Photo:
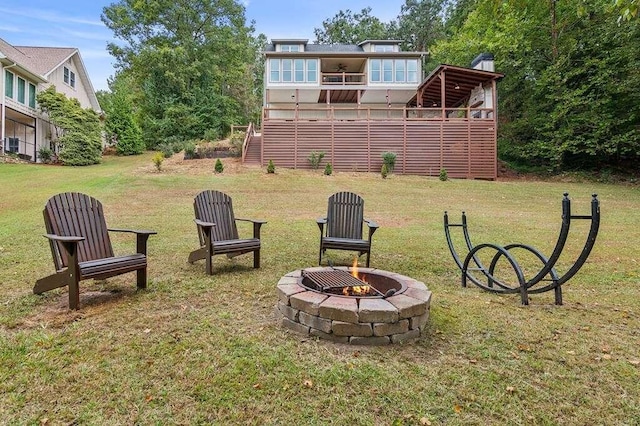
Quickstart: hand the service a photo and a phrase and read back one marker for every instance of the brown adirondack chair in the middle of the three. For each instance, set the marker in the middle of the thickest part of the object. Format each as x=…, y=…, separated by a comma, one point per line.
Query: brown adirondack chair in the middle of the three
x=218, y=232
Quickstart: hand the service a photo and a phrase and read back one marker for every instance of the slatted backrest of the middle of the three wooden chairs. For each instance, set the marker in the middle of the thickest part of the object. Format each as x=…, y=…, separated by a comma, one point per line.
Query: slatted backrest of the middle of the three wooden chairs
x=216, y=207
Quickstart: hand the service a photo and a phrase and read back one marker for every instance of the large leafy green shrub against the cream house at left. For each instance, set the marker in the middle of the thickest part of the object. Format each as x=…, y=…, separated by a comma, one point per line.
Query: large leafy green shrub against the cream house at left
x=75, y=129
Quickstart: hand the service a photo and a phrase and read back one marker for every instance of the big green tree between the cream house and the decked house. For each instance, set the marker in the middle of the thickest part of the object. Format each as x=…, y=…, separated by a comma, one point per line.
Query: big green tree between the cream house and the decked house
x=193, y=62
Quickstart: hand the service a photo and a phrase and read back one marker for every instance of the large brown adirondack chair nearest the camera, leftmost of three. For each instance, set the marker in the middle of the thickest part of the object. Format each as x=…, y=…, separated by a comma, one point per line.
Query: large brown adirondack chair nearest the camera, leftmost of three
x=81, y=248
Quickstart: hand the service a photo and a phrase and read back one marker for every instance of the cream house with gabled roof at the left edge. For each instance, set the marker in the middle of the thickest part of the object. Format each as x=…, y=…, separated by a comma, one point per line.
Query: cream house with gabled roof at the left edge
x=25, y=71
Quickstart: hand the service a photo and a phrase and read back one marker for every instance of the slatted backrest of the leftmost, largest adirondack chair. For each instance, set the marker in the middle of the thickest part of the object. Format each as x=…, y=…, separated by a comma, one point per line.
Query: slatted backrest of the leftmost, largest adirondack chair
x=74, y=214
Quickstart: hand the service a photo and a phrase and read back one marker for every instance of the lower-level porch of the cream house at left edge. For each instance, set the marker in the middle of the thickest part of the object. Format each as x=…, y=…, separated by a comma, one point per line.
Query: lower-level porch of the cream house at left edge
x=19, y=131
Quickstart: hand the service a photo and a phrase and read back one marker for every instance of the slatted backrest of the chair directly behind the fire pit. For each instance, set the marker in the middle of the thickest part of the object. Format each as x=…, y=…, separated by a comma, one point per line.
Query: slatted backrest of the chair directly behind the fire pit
x=345, y=214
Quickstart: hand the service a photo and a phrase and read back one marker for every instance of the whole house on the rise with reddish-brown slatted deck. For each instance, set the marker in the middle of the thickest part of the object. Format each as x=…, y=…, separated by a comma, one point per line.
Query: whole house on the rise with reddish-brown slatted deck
x=354, y=102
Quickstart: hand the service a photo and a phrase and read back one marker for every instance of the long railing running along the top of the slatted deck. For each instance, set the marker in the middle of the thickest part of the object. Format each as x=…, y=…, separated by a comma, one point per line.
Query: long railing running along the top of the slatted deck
x=332, y=113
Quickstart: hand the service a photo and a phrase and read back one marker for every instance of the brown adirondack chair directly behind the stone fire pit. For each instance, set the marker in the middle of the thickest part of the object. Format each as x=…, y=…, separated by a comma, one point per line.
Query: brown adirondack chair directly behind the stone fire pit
x=344, y=223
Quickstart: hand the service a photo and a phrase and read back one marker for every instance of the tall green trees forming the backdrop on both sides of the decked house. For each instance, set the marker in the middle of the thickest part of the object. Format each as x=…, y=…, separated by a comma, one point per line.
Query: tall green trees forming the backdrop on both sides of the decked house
x=569, y=98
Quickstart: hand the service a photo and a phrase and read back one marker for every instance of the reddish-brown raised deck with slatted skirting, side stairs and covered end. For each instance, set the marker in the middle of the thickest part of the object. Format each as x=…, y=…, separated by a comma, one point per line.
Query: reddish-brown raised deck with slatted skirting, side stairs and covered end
x=445, y=125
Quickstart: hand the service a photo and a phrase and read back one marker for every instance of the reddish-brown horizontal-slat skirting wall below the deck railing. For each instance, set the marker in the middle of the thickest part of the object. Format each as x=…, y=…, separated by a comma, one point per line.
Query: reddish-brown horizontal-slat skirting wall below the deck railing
x=465, y=148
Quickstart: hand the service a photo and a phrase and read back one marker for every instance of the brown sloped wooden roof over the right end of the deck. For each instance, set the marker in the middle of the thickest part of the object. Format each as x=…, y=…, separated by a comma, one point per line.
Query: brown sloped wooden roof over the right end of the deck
x=459, y=82
